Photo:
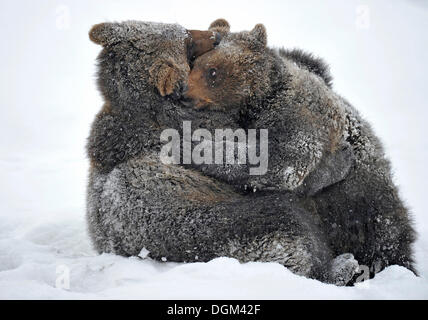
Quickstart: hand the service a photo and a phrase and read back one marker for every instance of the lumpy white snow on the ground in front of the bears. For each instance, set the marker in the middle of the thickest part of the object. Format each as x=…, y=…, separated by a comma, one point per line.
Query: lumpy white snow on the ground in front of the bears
x=54, y=260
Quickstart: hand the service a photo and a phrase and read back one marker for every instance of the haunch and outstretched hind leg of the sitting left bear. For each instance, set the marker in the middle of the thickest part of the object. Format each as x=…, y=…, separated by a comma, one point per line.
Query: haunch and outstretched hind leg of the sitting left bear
x=180, y=215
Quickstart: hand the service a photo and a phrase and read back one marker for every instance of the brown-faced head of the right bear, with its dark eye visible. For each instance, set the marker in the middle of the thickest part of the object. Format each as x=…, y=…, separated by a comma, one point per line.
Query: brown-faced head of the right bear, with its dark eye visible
x=232, y=73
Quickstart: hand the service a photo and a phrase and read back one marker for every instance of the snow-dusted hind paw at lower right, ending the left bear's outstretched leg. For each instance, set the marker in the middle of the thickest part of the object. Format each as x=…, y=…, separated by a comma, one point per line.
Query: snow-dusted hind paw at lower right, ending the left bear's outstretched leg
x=343, y=269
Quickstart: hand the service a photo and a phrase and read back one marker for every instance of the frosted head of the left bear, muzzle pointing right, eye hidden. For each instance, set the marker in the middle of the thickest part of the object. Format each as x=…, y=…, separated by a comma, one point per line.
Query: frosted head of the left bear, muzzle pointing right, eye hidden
x=140, y=56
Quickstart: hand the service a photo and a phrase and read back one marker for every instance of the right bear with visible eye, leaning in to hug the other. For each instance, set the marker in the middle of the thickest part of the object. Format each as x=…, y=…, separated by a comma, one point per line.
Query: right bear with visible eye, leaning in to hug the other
x=319, y=146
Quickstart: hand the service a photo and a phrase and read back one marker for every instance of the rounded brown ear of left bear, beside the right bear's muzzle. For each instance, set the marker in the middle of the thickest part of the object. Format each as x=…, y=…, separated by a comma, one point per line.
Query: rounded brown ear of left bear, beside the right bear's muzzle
x=168, y=78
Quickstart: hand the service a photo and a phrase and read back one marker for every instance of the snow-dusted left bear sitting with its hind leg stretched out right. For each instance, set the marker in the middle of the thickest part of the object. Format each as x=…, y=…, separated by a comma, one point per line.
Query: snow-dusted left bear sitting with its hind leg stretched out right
x=178, y=214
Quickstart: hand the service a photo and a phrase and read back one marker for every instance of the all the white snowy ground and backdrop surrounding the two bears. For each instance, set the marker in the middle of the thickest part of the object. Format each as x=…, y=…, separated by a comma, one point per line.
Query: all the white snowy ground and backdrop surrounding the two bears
x=48, y=99
